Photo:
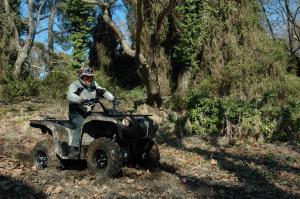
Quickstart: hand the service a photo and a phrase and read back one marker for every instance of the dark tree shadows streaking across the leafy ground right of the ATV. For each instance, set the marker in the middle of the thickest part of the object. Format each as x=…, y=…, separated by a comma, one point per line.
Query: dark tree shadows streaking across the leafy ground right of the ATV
x=253, y=181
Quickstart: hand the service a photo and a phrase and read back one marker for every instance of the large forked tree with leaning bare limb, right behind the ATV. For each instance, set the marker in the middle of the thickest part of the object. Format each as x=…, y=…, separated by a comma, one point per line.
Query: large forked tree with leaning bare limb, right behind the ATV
x=148, y=65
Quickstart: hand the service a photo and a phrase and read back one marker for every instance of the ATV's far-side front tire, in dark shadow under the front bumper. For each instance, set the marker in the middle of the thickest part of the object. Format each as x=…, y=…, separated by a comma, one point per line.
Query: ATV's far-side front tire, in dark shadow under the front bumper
x=151, y=159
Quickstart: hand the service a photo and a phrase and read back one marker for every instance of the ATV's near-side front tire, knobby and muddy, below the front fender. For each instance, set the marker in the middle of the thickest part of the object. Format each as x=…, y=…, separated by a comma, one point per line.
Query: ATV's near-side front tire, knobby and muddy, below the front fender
x=104, y=157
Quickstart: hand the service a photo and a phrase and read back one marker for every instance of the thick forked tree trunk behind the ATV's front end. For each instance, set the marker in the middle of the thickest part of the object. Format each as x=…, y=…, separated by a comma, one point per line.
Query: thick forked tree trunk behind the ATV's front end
x=155, y=69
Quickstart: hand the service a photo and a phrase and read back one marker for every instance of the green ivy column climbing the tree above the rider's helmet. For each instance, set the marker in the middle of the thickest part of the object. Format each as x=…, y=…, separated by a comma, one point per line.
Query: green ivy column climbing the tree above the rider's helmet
x=81, y=18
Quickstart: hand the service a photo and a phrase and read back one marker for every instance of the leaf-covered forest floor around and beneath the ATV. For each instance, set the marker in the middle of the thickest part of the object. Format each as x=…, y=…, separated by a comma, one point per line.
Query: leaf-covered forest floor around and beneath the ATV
x=192, y=167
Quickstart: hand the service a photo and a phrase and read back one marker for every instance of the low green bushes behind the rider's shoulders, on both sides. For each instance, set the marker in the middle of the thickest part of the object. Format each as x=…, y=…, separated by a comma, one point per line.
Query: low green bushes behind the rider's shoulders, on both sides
x=55, y=87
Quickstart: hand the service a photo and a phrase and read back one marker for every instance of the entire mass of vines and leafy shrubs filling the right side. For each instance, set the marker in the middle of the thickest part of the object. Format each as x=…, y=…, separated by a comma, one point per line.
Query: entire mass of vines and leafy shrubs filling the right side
x=241, y=89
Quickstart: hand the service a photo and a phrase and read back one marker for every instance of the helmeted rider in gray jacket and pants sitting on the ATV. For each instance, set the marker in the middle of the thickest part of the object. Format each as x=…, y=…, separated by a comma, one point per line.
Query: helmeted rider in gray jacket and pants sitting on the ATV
x=82, y=95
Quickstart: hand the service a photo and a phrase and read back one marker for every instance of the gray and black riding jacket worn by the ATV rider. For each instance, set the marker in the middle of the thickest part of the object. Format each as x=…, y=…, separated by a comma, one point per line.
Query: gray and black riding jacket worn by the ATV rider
x=85, y=98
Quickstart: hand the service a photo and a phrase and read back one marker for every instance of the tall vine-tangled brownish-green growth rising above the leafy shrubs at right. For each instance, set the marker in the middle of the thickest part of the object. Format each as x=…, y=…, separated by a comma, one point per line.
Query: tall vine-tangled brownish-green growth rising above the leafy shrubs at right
x=224, y=42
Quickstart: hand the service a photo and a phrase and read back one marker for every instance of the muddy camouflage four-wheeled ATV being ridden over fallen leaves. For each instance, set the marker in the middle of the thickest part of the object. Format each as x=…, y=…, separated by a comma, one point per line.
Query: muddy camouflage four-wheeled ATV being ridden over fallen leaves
x=109, y=140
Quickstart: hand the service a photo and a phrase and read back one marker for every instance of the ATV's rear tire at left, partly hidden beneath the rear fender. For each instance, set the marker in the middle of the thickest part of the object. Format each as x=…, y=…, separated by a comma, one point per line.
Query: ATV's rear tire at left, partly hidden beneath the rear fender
x=43, y=155
